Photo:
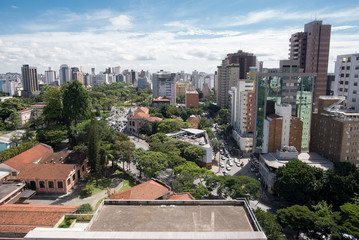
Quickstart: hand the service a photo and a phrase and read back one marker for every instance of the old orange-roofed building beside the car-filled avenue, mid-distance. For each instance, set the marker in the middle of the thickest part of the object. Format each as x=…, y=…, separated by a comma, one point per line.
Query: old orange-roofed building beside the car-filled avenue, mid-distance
x=139, y=115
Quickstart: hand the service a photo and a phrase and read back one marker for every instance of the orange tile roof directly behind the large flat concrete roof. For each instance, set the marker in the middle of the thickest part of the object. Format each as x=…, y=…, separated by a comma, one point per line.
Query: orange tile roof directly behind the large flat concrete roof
x=149, y=190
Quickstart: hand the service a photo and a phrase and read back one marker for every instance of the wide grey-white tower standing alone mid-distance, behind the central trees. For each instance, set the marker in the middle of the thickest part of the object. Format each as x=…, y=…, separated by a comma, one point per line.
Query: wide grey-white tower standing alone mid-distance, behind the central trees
x=164, y=85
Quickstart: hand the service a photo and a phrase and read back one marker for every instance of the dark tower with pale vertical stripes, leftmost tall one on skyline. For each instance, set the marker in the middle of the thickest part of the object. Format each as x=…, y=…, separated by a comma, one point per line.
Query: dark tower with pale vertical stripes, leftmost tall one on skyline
x=29, y=80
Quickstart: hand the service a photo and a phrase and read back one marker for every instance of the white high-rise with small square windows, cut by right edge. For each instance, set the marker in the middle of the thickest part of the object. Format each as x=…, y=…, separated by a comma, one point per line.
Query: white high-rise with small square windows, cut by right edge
x=347, y=79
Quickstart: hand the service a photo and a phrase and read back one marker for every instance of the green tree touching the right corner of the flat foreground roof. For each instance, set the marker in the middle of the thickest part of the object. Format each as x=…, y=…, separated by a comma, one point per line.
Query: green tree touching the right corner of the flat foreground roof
x=269, y=225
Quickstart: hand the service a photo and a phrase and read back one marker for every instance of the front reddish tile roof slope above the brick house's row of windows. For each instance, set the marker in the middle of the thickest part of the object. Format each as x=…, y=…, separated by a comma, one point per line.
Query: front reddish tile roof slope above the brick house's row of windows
x=47, y=171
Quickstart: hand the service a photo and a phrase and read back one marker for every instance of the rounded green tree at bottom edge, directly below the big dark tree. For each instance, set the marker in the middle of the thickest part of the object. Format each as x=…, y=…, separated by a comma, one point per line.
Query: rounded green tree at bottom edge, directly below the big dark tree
x=298, y=218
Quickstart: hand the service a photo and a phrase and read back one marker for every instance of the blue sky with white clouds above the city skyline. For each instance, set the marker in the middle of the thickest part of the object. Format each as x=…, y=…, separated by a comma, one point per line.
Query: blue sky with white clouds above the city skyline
x=163, y=35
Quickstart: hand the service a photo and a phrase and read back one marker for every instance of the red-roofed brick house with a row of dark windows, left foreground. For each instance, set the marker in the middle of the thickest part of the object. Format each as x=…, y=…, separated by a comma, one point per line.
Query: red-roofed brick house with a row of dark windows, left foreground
x=58, y=172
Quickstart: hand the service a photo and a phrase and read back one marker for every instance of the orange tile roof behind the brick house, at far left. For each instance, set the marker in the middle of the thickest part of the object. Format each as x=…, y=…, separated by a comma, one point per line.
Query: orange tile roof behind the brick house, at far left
x=29, y=156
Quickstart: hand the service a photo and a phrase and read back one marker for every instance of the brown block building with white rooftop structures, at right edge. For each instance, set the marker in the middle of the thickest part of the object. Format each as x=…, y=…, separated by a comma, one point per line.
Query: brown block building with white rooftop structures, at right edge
x=335, y=131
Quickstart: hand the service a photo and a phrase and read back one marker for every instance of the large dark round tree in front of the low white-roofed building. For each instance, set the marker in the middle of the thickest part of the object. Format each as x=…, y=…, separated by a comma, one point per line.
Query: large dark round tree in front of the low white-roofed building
x=299, y=182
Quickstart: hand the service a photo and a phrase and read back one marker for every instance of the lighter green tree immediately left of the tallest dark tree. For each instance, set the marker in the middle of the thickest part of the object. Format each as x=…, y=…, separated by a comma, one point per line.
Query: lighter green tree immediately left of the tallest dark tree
x=53, y=111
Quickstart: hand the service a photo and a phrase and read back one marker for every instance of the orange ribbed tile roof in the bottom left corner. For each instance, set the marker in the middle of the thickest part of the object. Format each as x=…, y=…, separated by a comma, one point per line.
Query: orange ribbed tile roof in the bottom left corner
x=22, y=218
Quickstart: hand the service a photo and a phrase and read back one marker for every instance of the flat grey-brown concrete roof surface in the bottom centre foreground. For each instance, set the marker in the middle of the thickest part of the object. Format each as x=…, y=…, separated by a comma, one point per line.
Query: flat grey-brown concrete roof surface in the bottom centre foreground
x=172, y=216
